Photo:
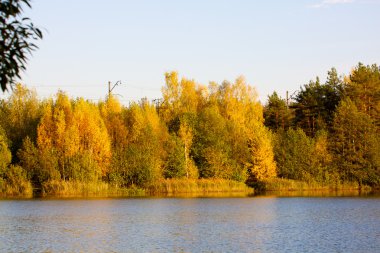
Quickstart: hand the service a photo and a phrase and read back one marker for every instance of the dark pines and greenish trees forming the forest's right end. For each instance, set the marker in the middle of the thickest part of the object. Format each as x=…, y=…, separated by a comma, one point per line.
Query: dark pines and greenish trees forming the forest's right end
x=329, y=132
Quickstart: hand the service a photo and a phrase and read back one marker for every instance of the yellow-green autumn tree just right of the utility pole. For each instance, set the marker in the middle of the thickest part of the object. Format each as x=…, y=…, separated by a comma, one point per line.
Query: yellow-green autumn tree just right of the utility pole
x=141, y=162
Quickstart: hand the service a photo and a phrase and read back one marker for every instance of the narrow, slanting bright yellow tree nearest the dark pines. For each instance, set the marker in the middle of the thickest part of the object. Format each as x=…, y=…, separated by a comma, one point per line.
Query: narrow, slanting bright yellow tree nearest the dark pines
x=246, y=116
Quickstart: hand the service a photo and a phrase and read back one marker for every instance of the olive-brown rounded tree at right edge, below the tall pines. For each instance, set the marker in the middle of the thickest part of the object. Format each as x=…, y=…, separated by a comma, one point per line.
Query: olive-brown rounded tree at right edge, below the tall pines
x=355, y=144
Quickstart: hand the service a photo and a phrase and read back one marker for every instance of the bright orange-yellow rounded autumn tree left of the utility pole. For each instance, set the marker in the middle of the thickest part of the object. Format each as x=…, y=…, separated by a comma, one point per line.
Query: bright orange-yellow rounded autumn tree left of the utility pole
x=74, y=133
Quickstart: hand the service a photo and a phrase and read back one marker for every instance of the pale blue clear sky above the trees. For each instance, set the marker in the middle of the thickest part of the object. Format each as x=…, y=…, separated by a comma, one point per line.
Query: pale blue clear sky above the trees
x=276, y=45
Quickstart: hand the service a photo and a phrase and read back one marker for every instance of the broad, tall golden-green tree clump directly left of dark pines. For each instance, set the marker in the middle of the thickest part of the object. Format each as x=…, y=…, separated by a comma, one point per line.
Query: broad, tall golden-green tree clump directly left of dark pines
x=229, y=131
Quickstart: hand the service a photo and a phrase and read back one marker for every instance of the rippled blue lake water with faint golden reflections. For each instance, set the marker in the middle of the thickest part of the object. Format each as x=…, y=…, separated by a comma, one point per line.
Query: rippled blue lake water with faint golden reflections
x=251, y=224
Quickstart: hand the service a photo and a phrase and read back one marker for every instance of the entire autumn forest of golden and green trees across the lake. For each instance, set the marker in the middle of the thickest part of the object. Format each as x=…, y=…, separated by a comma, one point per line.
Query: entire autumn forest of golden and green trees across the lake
x=324, y=134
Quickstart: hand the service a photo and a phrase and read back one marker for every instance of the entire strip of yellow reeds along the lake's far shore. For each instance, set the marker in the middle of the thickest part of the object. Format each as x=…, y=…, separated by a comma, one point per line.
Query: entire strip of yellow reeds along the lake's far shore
x=183, y=188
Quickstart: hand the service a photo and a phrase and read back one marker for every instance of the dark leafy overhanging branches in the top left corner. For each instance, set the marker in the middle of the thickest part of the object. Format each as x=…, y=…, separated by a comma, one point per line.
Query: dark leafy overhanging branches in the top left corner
x=17, y=36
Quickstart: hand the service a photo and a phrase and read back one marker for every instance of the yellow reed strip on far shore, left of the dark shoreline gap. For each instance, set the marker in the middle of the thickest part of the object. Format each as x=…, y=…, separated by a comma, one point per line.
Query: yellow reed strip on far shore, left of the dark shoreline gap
x=164, y=187
